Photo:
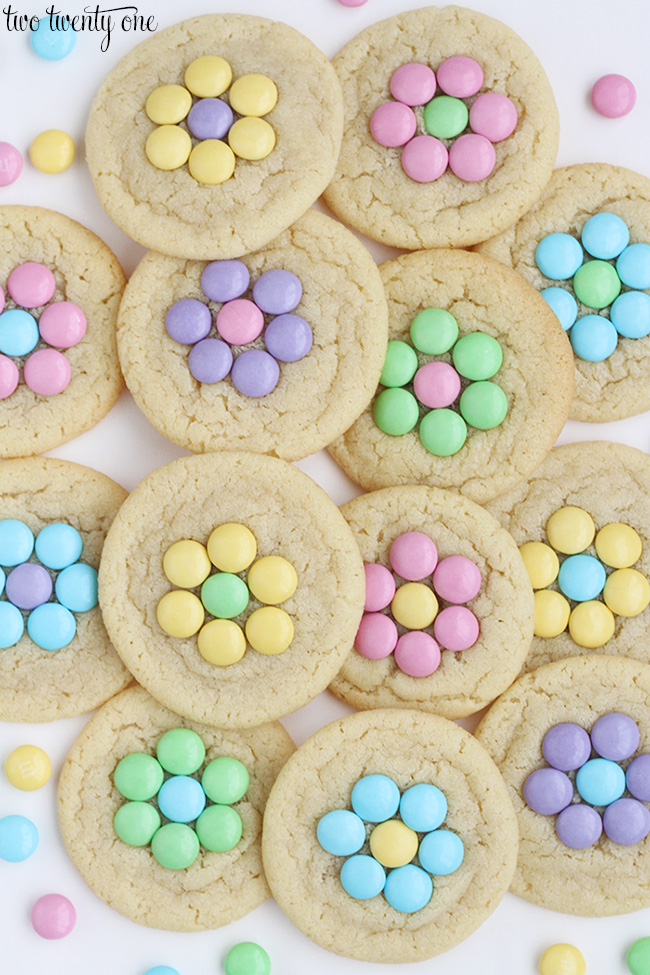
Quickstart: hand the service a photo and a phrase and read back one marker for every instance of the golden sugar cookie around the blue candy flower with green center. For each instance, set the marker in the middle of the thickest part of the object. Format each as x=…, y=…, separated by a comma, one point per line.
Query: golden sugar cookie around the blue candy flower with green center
x=616, y=386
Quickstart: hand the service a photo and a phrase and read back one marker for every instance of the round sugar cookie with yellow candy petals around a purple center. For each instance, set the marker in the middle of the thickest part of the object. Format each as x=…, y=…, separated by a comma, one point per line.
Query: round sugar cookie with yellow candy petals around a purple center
x=171, y=211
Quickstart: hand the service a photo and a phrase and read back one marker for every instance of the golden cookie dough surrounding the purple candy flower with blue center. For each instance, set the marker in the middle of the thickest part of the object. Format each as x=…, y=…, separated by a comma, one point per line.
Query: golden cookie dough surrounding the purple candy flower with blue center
x=605, y=877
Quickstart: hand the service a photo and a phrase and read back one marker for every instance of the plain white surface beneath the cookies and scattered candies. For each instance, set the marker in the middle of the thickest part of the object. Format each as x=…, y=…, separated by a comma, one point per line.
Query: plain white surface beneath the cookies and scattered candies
x=577, y=41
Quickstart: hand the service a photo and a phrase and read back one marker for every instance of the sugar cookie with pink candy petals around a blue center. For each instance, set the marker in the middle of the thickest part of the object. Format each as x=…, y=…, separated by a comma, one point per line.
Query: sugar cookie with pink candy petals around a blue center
x=76, y=267
